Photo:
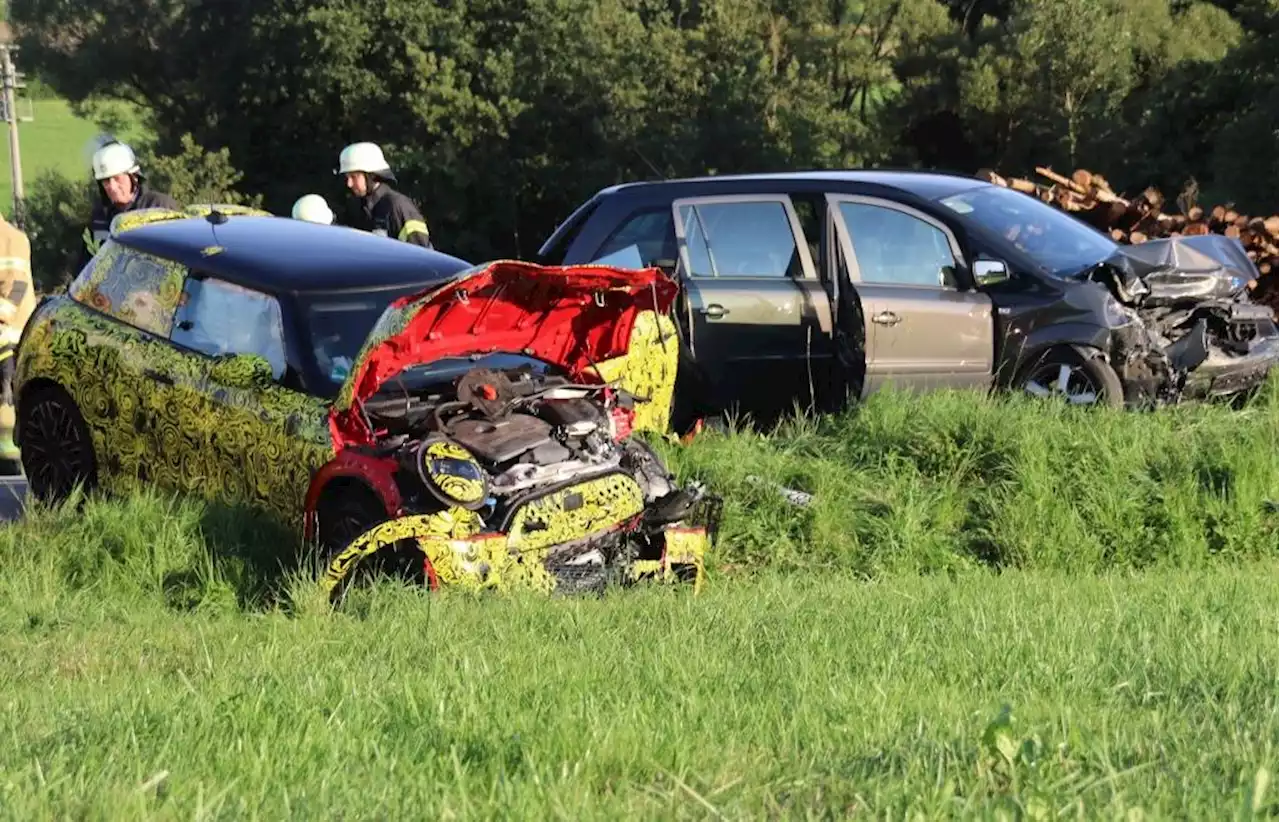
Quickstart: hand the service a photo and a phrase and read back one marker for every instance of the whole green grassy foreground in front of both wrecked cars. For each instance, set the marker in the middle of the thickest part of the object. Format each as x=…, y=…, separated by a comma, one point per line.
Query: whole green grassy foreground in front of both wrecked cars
x=853, y=656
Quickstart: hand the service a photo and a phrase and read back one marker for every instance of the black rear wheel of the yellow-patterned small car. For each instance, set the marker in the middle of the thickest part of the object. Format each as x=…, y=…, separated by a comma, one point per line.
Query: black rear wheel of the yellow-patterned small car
x=57, y=447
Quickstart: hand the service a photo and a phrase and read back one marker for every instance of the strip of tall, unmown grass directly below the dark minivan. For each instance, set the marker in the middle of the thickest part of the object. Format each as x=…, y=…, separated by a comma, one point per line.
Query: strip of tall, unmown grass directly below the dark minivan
x=953, y=481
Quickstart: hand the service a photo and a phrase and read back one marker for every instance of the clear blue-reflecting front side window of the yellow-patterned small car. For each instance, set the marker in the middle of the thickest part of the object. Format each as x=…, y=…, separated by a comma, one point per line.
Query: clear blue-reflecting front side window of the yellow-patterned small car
x=218, y=318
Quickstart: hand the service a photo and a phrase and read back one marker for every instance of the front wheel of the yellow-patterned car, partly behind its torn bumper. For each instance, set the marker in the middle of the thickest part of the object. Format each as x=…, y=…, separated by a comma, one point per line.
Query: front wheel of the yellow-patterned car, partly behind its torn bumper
x=346, y=512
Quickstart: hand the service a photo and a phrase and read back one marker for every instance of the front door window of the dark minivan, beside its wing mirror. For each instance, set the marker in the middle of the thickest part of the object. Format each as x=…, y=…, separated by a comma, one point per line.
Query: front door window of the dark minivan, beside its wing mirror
x=894, y=248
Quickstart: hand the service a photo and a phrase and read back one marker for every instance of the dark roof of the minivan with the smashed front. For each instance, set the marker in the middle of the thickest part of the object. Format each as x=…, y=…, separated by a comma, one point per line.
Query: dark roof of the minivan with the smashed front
x=927, y=185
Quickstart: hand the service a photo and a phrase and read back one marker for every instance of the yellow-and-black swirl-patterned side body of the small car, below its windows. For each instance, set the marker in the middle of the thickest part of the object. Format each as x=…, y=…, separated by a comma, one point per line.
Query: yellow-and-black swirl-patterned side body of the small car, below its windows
x=240, y=446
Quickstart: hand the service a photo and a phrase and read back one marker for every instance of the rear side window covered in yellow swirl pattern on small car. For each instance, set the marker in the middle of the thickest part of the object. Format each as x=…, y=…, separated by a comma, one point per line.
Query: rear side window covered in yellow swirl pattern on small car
x=136, y=289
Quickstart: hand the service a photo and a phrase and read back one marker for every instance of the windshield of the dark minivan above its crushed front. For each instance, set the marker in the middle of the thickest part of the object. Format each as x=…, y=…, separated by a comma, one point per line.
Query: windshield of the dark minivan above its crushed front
x=1059, y=243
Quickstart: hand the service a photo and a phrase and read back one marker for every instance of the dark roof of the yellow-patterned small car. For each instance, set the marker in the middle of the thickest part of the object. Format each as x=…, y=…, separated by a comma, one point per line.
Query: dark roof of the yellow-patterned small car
x=285, y=255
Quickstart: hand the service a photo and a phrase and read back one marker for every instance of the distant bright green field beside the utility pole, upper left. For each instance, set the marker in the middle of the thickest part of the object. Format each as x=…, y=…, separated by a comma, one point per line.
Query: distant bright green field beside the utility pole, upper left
x=54, y=140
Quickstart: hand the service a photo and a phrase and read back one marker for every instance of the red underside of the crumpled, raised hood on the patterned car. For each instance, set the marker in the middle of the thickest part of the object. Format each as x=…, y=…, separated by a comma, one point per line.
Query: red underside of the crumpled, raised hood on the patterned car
x=570, y=317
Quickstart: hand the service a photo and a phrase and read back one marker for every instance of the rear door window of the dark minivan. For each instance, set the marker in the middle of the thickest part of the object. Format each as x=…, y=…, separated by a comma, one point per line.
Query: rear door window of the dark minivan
x=740, y=240
